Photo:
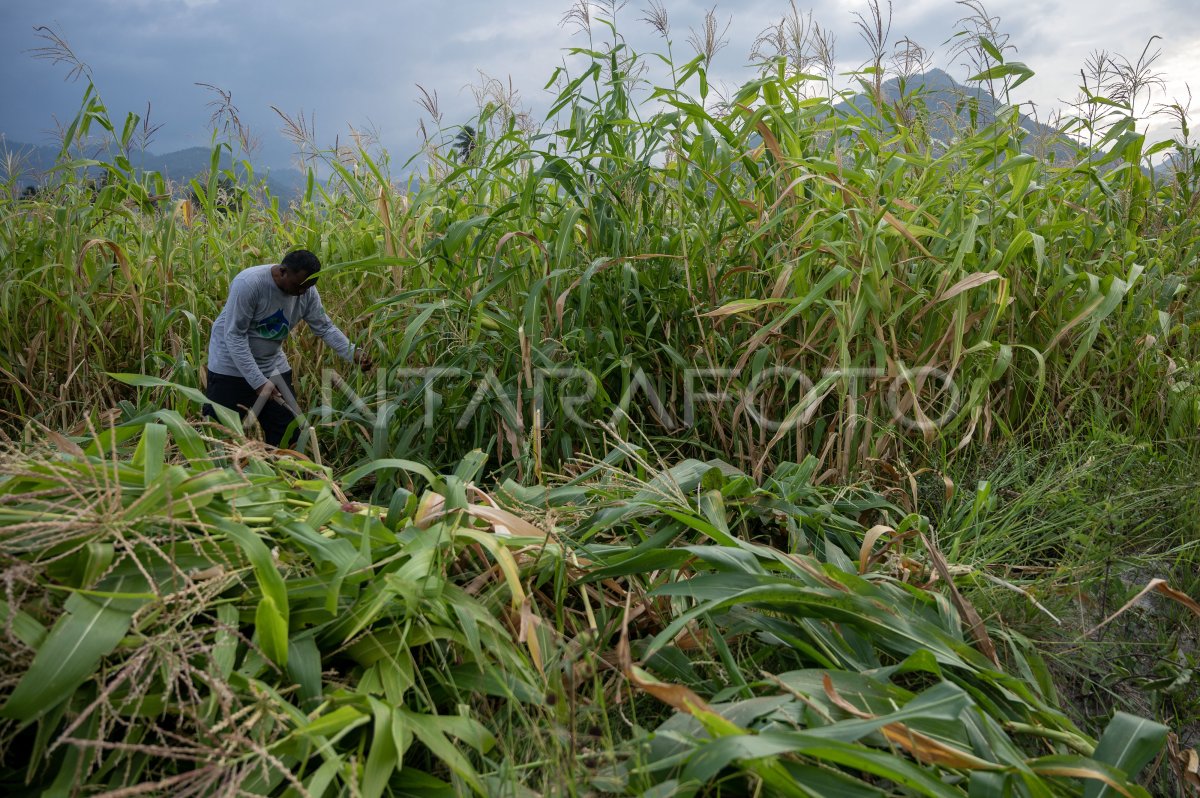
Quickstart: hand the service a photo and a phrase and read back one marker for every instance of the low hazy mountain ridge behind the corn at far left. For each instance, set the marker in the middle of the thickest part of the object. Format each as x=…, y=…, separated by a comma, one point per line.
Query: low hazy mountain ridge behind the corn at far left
x=32, y=164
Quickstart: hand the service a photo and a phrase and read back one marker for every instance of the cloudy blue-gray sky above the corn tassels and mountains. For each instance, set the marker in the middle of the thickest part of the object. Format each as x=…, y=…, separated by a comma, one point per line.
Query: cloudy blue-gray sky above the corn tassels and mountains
x=358, y=63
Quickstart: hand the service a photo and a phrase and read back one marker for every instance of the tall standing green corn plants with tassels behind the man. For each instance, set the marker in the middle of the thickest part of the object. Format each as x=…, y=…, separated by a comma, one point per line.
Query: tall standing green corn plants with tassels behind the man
x=920, y=295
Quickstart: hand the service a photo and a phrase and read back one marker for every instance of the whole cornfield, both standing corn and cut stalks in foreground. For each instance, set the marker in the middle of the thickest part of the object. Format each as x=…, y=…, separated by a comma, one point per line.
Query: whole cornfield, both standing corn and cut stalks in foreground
x=663, y=485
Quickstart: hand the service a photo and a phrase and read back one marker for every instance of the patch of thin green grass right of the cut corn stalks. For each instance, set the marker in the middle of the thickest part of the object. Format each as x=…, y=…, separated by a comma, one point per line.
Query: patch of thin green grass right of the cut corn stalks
x=1063, y=539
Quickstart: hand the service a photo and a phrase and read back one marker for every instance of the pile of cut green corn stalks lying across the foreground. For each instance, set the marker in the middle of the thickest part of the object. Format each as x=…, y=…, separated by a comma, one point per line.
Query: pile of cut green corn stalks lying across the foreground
x=229, y=622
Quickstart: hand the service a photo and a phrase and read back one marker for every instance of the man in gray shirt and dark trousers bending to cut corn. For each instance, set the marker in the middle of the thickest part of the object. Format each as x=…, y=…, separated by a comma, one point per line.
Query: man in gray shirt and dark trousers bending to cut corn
x=247, y=362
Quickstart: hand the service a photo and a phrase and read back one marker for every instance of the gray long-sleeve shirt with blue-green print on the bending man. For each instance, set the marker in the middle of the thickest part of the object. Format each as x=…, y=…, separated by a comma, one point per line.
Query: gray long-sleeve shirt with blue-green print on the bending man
x=248, y=338
